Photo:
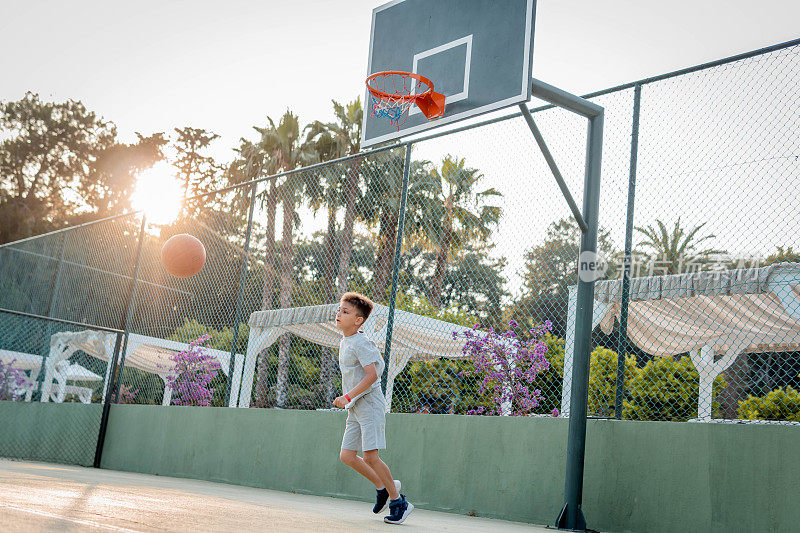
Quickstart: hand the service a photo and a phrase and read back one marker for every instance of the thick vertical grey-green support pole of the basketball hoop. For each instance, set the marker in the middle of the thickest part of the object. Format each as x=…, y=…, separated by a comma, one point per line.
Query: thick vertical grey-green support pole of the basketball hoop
x=571, y=516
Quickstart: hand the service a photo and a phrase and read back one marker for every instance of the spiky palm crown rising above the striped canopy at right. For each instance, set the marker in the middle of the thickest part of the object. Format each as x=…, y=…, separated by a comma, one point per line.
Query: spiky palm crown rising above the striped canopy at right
x=673, y=250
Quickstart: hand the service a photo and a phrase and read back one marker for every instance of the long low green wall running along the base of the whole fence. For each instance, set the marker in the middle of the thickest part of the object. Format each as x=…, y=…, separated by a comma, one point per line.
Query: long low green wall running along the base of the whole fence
x=640, y=476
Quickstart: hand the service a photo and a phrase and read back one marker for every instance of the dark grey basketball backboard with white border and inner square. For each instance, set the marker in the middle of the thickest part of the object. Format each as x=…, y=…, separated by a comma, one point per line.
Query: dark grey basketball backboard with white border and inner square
x=477, y=53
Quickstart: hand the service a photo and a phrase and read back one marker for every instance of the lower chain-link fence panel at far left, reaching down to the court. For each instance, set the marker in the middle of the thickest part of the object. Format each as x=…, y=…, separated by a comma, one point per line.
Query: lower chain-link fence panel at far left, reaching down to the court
x=41, y=362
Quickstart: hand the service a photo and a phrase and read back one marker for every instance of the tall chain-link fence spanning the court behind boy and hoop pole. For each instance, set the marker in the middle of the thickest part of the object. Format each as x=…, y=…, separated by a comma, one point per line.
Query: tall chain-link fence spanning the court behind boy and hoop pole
x=467, y=247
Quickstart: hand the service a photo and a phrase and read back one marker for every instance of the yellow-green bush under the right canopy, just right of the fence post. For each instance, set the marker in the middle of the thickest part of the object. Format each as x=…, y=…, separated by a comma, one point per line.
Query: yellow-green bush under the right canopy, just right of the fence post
x=665, y=389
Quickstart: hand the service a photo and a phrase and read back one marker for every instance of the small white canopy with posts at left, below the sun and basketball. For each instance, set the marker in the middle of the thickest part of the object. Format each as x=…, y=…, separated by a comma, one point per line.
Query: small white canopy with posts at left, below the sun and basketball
x=149, y=354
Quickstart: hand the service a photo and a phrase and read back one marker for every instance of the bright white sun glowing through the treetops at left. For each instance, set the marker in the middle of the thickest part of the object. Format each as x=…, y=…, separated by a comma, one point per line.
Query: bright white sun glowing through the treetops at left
x=158, y=194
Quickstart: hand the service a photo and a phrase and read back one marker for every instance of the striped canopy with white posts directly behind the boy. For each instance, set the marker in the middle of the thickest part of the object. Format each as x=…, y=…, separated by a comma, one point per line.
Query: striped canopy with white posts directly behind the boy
x=413, y=337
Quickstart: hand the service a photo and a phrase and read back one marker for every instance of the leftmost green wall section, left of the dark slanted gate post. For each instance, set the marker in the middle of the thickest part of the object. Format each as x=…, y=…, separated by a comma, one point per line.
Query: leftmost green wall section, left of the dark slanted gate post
x=52, y=432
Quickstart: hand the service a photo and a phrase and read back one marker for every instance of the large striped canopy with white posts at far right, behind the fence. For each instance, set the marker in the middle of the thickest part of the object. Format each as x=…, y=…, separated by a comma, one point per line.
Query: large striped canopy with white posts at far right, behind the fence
x=714, y=316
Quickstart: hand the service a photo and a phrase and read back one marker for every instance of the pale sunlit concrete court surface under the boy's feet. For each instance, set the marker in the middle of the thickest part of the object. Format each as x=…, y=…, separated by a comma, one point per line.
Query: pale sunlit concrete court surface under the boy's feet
x=39, y=497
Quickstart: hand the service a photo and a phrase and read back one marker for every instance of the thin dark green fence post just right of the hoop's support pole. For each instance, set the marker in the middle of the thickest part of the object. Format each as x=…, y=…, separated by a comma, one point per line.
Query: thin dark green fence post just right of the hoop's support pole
x=622, y=333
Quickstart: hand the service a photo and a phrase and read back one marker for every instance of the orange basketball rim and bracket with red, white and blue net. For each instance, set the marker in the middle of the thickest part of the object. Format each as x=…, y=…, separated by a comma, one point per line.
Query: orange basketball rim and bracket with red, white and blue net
x=393, y=92
